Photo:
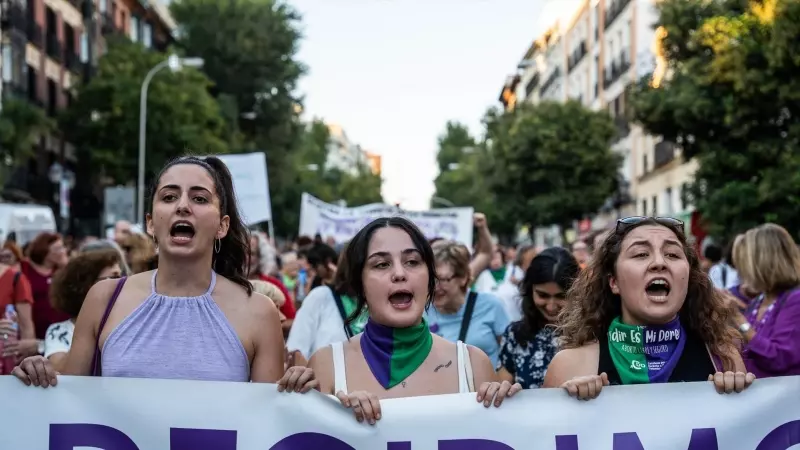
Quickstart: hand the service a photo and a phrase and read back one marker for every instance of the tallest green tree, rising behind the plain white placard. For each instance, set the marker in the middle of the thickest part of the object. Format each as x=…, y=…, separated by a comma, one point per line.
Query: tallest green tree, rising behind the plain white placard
x=249, y=48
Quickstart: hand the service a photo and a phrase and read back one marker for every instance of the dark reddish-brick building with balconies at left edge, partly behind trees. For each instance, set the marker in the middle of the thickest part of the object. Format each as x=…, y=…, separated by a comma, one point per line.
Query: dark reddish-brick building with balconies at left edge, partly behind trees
x=48, y=46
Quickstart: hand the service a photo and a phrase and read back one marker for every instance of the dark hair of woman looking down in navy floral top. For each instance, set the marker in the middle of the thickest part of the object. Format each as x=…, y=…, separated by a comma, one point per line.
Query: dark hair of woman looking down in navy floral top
x=553, y=265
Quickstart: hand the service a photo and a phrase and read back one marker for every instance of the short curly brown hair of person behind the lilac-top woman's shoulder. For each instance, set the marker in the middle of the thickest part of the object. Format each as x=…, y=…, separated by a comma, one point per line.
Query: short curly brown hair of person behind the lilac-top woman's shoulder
x=72, y=283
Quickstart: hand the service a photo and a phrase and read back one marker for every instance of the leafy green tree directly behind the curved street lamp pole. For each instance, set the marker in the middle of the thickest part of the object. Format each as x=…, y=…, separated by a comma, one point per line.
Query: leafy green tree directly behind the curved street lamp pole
x=103, y=121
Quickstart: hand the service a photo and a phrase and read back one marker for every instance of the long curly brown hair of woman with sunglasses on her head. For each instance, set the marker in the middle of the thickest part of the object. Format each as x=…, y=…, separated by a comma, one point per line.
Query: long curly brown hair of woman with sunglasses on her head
x=591, y=304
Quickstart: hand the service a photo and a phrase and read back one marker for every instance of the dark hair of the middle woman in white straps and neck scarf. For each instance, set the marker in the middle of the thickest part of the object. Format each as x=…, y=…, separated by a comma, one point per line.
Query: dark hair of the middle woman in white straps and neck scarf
x=355, y=257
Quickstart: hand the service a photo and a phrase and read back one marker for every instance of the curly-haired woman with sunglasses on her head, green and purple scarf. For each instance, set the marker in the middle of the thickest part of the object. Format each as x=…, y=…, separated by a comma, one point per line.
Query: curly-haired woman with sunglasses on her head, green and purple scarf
x=643, y=311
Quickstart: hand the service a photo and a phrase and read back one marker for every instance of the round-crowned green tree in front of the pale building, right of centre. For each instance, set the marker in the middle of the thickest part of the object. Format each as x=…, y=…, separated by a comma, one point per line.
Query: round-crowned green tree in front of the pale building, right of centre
x=552, y=162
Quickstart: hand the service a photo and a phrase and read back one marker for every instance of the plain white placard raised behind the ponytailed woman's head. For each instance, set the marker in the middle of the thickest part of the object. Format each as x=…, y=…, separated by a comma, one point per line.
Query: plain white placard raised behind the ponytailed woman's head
x=250, y=182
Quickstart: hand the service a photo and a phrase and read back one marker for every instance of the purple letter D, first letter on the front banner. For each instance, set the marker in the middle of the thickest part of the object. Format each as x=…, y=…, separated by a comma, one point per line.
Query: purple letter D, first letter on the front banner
x=67, y=436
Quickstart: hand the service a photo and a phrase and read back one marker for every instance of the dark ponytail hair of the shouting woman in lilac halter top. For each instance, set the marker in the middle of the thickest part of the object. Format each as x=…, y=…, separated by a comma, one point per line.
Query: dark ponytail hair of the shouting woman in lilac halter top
x=231, y=260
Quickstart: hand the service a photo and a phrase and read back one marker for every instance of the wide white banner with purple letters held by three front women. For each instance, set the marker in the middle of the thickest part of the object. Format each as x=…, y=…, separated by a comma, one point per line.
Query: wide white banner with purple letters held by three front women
x=139, y=414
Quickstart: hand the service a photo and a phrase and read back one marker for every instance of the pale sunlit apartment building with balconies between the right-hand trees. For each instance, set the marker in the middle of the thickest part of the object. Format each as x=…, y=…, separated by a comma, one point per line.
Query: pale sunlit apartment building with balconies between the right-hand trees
x=592, y=56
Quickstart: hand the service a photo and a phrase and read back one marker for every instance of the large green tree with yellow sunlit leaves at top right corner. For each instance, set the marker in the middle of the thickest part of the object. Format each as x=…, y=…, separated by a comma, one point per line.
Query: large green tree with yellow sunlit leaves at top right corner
x=731, y=99
